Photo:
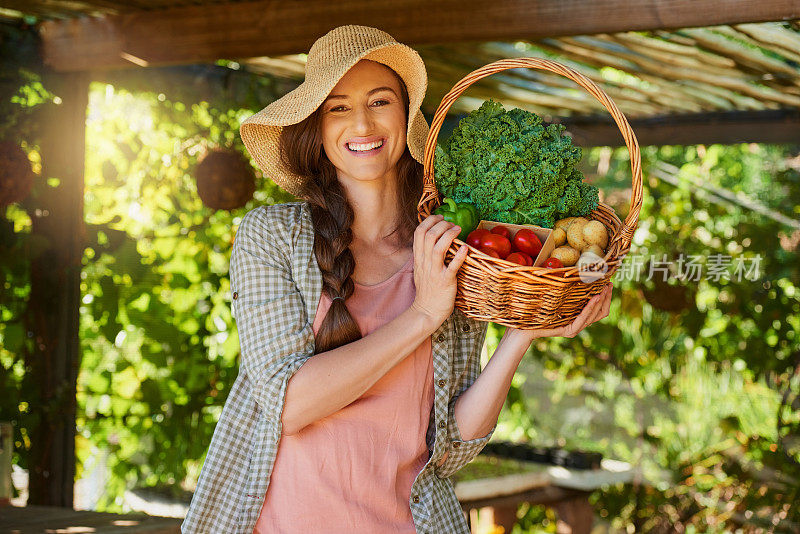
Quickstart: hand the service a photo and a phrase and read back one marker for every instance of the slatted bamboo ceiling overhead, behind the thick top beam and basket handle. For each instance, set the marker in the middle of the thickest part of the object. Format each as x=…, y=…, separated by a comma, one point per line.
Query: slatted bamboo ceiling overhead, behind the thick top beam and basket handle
x=749, y=67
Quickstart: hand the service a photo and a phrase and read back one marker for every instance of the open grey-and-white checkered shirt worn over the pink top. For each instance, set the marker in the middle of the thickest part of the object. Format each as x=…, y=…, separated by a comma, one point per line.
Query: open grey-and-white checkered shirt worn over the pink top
x=276, y=285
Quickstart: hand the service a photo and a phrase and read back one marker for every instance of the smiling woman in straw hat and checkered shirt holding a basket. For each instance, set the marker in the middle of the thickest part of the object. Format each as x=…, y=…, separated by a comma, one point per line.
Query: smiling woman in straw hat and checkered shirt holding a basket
x=364, y=435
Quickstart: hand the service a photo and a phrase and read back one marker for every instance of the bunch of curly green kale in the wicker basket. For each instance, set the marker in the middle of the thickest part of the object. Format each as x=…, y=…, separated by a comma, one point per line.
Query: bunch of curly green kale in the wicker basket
x=513, y=167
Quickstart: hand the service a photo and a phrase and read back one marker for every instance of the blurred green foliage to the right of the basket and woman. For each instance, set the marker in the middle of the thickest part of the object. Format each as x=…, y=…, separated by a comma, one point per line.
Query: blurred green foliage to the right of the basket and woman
x=685, y=378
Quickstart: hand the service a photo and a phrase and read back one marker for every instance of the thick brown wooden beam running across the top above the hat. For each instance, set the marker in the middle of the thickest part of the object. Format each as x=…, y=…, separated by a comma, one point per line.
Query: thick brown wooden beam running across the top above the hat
x=264, y=28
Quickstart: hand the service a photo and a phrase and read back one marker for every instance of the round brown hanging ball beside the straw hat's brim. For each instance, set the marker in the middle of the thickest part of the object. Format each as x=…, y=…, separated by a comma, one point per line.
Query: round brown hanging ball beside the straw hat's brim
x=225, y=179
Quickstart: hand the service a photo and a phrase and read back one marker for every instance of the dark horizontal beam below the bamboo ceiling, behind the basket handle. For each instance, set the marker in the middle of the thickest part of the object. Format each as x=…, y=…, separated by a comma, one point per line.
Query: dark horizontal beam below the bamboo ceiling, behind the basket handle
x=728, y=127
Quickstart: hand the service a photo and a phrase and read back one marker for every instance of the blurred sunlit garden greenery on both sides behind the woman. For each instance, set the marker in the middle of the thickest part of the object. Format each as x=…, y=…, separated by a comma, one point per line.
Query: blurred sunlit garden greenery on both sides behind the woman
x=692, y=380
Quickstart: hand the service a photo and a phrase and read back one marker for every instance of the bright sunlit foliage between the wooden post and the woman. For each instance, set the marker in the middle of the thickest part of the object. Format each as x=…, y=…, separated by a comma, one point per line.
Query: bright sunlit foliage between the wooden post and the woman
x=160, y=346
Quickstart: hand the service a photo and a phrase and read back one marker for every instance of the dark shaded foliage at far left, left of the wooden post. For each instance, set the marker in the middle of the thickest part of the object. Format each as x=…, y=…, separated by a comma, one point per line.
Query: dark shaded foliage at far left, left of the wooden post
x=22, y=99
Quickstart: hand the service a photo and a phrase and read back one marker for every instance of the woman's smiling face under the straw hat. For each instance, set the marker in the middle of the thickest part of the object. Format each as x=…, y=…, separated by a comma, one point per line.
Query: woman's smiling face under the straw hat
x=364, y=123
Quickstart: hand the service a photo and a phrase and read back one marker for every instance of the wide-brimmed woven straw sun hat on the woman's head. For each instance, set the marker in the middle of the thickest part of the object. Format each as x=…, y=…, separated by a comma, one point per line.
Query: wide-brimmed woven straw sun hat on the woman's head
x=330, y=57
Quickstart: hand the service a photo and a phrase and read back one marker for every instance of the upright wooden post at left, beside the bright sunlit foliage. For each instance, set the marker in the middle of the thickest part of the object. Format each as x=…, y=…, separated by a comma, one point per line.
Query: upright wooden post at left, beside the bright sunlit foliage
x=52, y=367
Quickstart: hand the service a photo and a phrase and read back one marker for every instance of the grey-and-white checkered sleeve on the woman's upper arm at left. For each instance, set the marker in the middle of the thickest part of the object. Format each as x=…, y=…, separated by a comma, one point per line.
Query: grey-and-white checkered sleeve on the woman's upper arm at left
x=275, y=335
